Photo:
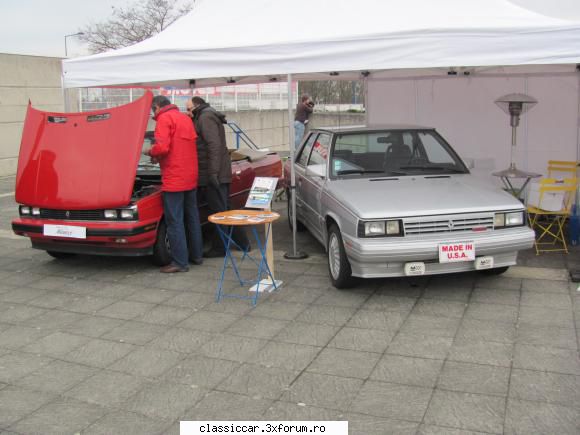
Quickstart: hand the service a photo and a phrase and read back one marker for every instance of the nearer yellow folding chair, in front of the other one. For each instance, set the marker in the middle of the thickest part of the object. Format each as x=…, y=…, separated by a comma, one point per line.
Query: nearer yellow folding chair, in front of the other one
x=548, y=216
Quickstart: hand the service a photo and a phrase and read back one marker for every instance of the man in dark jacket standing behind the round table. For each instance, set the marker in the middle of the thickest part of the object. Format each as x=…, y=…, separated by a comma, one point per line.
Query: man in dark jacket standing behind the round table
x=215, y=166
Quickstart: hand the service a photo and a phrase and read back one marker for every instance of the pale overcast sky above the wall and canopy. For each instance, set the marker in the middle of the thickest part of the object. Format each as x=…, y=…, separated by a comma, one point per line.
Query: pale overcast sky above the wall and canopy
x=38, y=27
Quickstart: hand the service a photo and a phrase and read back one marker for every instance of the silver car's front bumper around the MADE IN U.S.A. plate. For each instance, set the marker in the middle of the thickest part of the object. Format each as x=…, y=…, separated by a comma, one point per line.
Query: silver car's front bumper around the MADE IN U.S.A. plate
x=386, y=257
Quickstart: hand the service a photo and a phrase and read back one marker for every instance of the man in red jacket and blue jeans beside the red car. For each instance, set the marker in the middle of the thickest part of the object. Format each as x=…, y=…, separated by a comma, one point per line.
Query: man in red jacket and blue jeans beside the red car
x=176, y=152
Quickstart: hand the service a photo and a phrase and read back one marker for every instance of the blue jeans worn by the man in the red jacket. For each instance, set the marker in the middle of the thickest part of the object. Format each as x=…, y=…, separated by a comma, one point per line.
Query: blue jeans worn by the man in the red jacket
x=176, y=205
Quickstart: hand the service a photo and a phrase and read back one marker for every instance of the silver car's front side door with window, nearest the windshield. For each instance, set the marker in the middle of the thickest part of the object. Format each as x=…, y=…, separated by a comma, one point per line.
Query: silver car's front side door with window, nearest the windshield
x=314, y=180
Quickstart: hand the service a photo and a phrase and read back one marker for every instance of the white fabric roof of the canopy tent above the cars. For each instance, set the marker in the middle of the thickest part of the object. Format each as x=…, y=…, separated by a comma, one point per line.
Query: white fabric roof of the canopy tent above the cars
x=247, y=40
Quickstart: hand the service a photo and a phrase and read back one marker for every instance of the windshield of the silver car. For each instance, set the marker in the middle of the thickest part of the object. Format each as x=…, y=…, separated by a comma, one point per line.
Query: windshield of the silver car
x=393, y=152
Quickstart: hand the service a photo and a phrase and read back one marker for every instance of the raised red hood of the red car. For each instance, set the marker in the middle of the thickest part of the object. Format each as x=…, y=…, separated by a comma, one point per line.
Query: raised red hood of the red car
x=81, y=160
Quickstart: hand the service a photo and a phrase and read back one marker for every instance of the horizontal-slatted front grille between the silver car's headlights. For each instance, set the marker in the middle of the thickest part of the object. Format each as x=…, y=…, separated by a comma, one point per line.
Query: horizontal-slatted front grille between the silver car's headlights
x=448, y=224
